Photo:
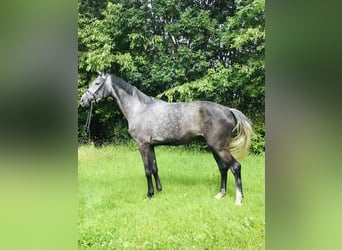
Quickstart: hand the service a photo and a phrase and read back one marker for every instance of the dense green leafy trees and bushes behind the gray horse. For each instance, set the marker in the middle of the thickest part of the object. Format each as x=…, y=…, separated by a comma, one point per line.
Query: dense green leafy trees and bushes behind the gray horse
x=178, y=50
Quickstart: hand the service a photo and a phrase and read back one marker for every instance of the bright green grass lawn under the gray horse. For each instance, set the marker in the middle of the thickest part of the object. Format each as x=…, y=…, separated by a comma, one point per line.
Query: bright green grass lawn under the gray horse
x=114, y=214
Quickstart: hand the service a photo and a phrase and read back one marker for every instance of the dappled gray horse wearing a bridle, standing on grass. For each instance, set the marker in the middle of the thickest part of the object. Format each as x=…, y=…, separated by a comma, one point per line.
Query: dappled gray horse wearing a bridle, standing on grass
x=152, y=121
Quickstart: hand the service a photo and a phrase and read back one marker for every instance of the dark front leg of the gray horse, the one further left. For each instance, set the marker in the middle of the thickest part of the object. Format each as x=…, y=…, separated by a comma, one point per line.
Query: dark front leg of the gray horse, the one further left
x=145, y=151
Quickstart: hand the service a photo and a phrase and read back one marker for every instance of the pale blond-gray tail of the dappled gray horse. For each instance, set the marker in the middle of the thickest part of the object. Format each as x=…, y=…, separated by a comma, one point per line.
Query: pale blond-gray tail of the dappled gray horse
x=241, y=142
